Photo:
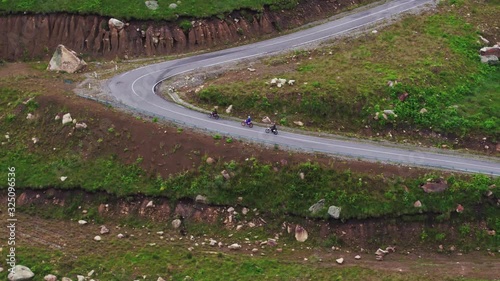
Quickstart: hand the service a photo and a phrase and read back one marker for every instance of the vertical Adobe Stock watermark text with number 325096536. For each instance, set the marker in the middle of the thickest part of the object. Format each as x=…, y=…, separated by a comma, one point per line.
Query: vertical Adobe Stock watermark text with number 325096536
x=11, y=219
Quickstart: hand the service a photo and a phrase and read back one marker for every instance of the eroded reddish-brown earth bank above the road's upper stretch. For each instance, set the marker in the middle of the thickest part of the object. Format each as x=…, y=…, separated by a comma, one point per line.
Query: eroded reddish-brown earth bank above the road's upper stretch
x=37, y=36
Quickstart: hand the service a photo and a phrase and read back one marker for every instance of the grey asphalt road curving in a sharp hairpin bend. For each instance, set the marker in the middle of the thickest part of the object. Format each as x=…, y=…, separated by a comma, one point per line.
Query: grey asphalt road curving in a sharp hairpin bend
x=136, y=89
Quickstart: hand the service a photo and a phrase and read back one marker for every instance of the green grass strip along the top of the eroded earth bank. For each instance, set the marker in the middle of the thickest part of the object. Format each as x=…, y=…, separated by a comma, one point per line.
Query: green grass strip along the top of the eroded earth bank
x=125, y=9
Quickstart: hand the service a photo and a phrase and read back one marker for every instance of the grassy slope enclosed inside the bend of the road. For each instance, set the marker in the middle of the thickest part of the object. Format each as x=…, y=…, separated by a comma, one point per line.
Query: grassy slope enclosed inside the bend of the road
x=433, y=57
